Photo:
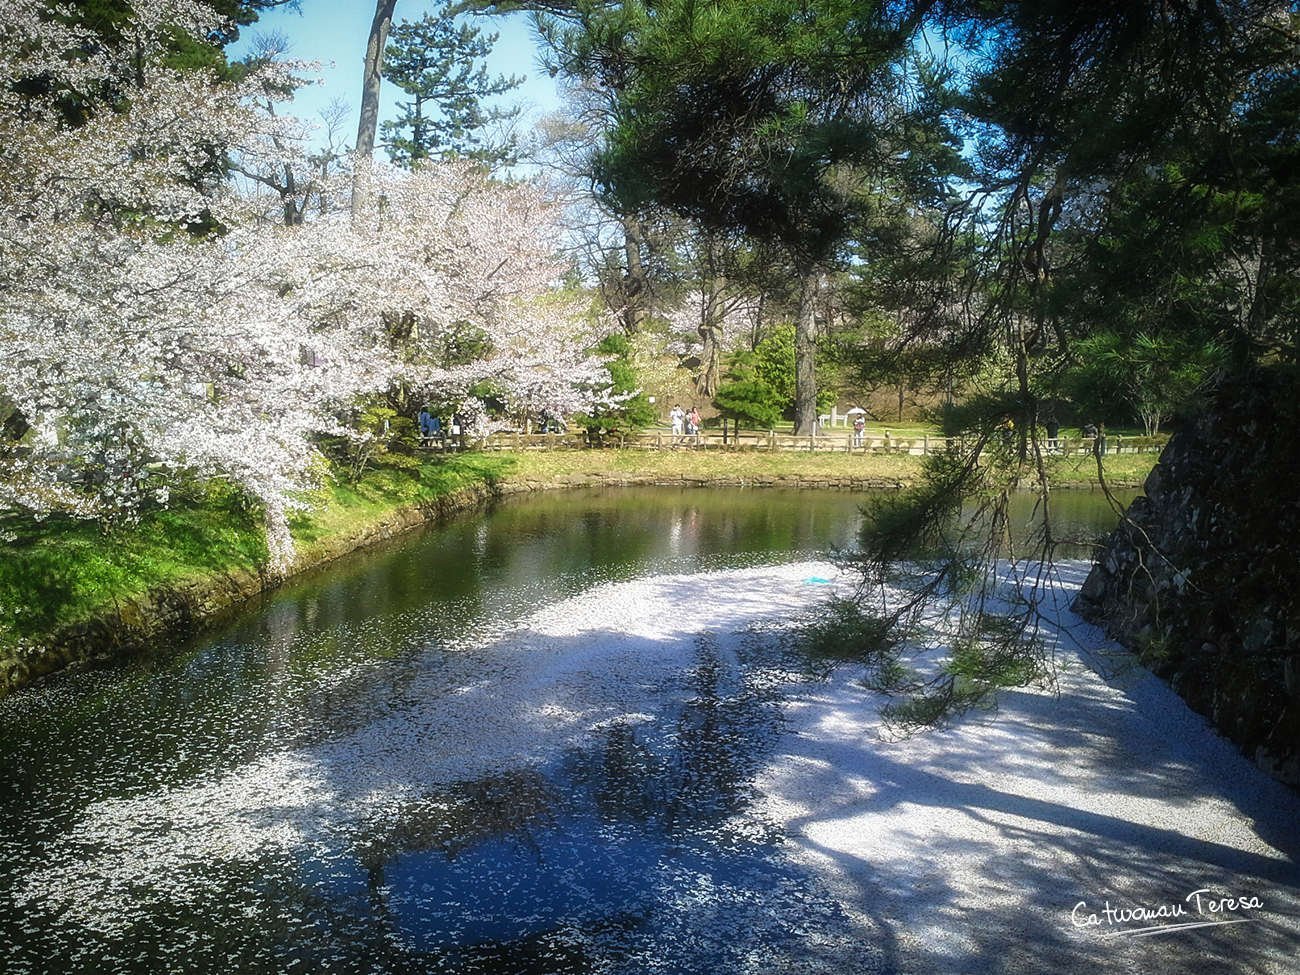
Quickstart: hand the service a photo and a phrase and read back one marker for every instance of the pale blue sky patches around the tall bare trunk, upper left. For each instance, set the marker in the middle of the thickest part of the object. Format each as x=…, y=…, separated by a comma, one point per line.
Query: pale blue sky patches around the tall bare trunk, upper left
x=335, y=33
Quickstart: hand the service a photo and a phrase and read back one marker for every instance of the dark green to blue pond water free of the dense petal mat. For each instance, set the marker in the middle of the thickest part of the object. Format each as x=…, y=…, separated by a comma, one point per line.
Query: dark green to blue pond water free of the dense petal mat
x=127, y=843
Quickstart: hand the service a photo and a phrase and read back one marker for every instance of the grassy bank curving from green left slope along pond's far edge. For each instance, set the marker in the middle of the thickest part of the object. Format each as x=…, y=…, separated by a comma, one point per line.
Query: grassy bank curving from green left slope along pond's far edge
x=64, y=573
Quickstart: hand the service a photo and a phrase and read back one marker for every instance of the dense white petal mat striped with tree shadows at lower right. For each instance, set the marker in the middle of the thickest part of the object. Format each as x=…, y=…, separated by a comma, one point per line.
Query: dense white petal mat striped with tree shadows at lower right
x=968, y=850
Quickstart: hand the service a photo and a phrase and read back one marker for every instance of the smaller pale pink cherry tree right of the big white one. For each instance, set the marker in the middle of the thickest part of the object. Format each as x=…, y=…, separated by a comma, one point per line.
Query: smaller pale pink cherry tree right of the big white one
x=463, y=262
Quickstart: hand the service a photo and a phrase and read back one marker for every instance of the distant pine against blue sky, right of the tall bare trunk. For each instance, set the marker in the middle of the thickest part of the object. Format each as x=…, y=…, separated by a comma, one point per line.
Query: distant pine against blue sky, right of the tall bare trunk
x=439, y=66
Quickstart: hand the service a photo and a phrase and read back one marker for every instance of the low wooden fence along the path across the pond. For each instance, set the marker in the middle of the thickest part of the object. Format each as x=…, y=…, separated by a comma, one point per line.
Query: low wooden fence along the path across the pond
x=837, y=441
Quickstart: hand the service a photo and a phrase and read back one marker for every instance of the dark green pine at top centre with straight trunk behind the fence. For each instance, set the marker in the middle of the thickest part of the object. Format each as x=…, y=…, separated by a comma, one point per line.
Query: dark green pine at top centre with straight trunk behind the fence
x=764, y=122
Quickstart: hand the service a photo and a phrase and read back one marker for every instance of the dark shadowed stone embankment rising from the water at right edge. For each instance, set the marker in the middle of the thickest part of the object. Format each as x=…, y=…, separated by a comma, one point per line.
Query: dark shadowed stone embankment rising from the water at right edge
x=1203, y=578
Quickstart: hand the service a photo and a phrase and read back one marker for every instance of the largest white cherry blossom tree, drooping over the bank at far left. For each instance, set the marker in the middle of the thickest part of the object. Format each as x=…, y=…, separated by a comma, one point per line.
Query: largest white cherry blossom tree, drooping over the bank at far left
x=133, y=348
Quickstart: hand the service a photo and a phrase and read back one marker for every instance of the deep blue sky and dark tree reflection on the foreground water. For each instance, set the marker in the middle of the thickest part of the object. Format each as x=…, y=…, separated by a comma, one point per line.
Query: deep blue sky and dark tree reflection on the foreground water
x=561, y=866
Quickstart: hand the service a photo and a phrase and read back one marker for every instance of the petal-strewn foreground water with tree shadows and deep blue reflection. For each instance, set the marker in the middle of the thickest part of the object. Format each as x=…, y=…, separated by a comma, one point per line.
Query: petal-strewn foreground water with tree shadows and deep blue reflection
x=614, y=788
